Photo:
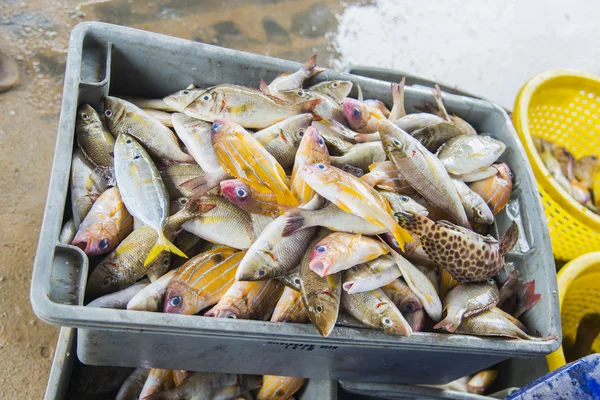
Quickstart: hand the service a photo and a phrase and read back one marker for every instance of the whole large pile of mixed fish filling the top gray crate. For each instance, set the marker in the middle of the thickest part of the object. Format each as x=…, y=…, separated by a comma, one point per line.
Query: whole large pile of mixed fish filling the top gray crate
x=295, y=204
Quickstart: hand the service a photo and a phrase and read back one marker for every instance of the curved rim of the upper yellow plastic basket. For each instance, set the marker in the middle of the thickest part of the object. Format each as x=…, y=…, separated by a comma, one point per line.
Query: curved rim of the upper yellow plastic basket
x=520, y=120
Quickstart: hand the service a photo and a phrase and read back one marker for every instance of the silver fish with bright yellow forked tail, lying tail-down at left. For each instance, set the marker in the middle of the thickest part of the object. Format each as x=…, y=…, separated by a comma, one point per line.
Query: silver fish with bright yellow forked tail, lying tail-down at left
x=143, y=191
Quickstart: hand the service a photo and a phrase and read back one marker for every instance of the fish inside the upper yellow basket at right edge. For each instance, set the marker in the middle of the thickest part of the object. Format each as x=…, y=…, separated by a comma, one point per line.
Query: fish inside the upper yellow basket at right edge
x=580, y=178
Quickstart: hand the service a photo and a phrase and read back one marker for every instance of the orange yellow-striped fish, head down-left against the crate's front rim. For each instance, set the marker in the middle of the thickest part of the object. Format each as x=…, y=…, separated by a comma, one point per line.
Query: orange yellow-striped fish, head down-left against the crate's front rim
x=202, y=281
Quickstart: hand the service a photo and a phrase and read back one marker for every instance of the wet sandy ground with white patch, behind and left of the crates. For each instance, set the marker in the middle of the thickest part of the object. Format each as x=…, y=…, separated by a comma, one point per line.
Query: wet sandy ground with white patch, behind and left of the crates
x=490, y=49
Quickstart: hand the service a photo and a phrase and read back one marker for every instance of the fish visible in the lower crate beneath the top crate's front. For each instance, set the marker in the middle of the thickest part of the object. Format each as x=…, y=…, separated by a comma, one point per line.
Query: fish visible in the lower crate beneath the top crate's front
x=166, y=384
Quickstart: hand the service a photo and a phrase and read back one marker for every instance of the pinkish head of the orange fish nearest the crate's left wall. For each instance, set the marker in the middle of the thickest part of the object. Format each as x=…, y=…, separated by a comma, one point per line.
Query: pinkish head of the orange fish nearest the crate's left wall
x=97, y=239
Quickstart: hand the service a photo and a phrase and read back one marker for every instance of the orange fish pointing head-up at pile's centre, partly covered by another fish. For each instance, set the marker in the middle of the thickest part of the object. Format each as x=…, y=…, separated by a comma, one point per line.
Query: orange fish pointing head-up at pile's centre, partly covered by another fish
x=312, y=150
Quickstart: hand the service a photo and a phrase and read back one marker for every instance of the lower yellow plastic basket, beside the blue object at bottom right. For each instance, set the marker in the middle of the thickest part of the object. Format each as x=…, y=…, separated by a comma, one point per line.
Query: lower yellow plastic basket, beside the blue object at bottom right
x=578, y=295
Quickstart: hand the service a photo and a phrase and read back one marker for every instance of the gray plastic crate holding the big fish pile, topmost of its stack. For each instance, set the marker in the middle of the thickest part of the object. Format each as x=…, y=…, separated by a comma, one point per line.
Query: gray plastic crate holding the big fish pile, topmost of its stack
x=106, y=58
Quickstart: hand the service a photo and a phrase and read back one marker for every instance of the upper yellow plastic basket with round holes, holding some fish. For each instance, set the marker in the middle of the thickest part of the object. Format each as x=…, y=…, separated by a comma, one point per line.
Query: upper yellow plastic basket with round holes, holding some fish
x=563, y=107
